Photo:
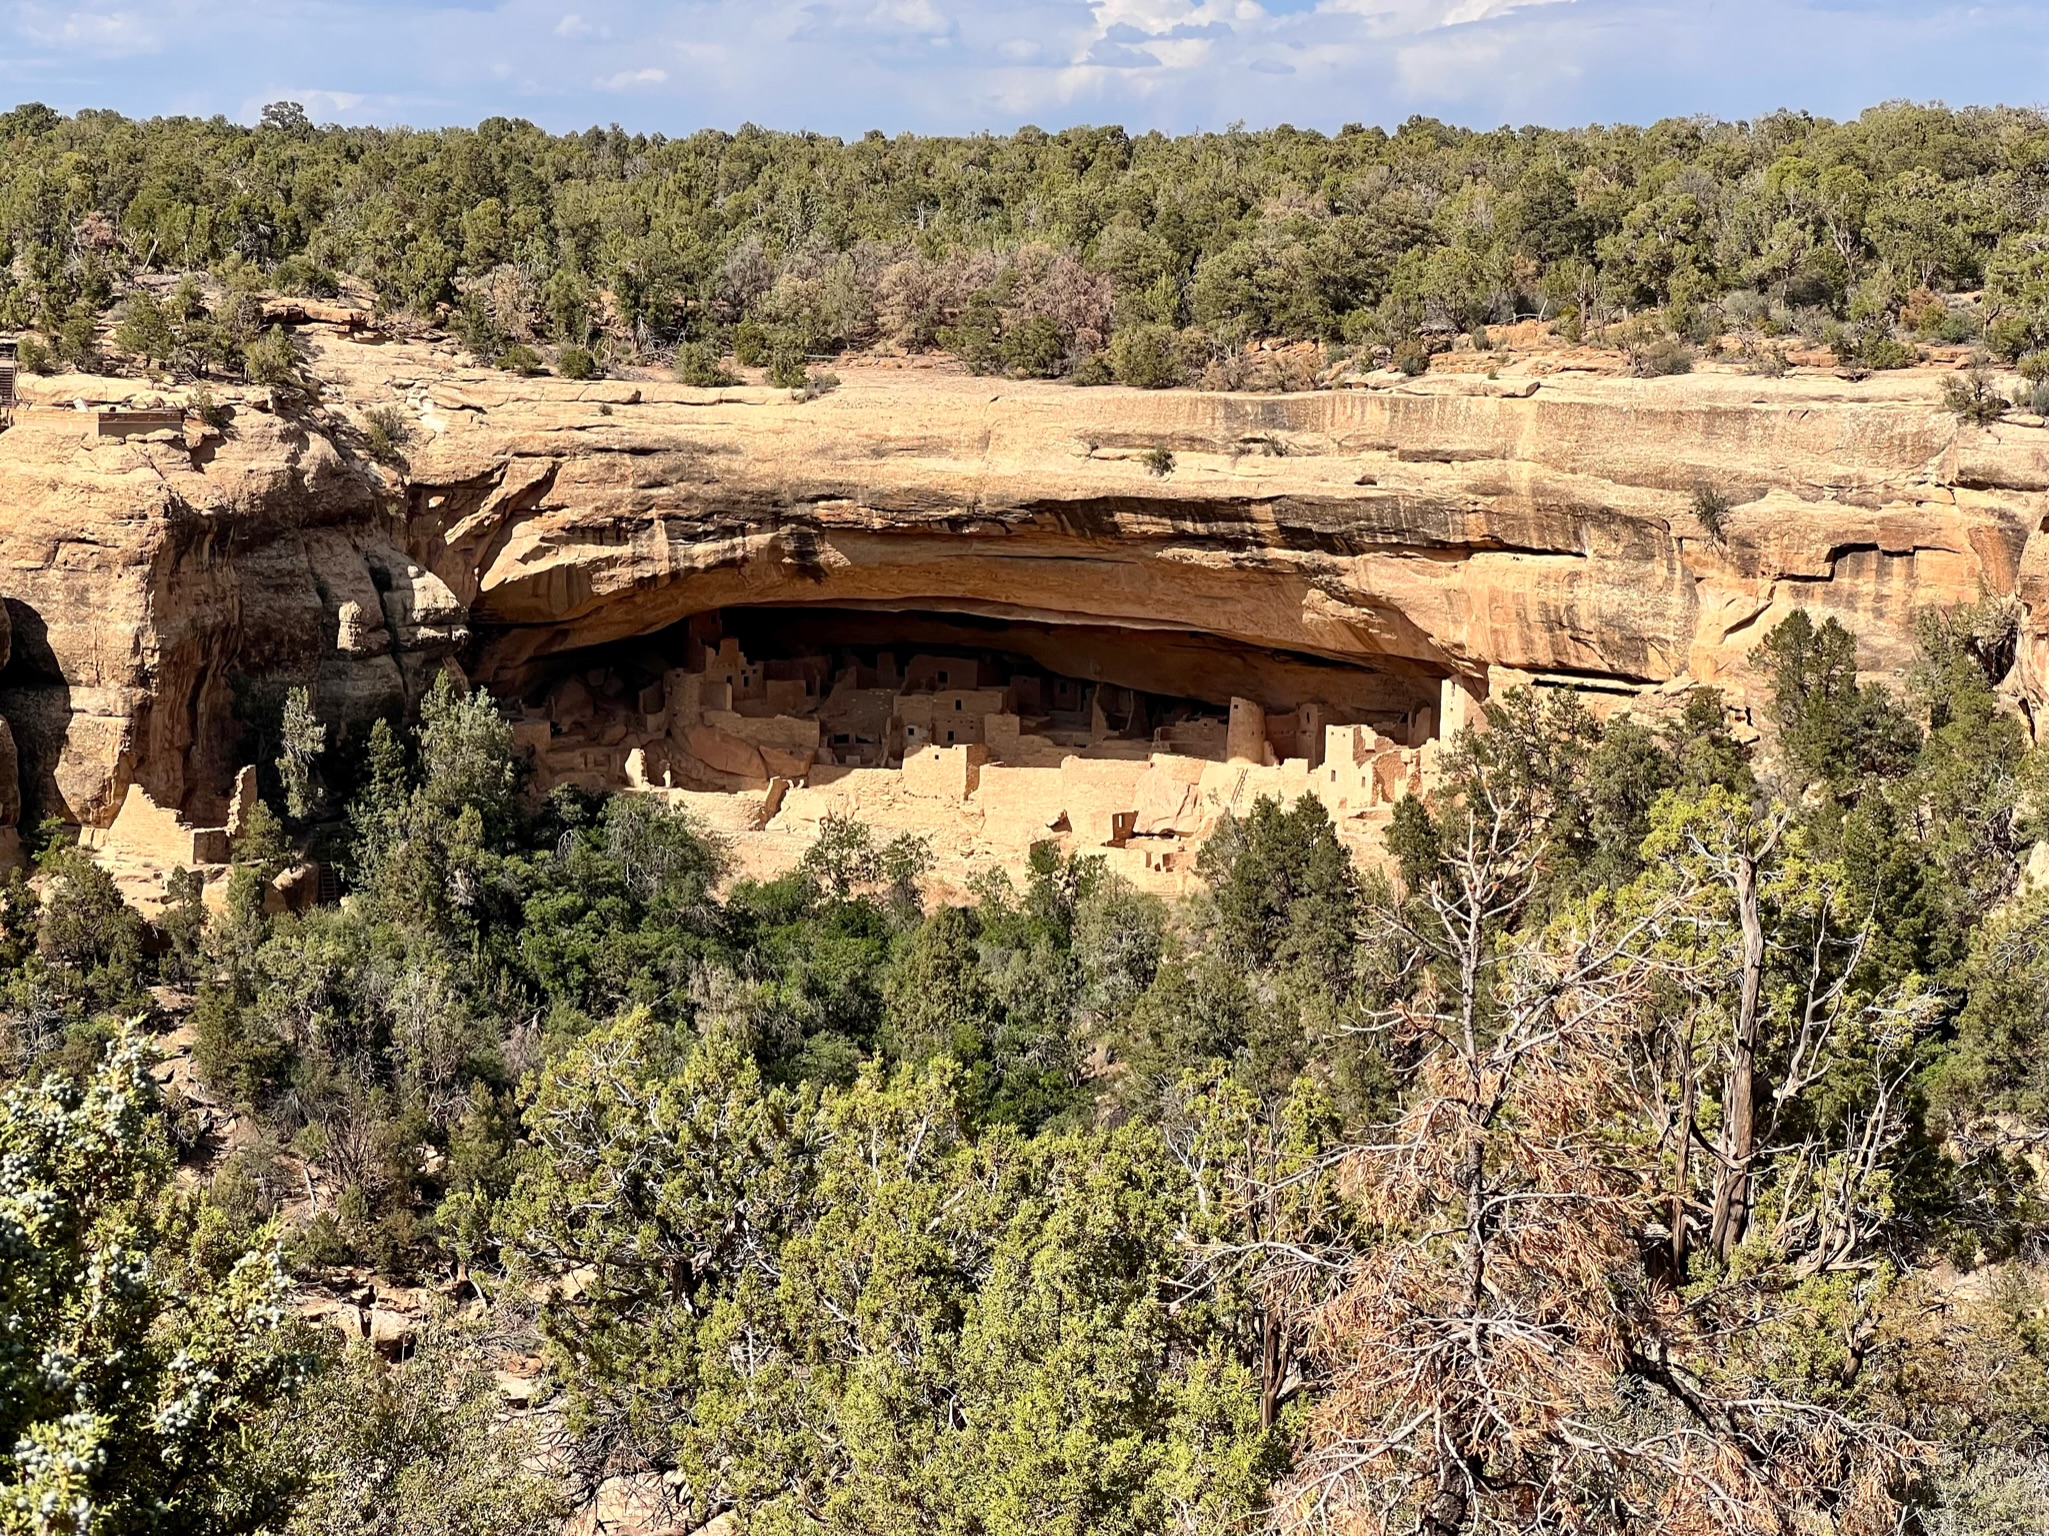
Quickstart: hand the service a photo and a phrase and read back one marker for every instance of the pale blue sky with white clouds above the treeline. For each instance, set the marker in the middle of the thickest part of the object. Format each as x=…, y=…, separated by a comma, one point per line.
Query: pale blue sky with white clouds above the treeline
x=845, y=67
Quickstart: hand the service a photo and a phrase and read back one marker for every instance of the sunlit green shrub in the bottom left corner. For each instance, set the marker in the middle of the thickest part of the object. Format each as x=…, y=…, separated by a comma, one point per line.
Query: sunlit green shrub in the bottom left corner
x=149, y=1338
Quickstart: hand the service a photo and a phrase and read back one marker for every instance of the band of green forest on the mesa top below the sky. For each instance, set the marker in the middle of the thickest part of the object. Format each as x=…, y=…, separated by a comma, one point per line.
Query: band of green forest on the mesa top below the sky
x=1034, y=253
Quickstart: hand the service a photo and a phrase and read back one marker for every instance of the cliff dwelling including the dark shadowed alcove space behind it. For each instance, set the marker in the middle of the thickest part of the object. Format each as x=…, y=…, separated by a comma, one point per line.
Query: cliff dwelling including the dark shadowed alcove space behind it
x=985, y=734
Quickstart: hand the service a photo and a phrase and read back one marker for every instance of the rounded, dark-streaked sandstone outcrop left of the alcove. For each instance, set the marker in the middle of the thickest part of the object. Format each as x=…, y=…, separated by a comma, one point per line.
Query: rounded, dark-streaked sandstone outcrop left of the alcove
x=163, y=585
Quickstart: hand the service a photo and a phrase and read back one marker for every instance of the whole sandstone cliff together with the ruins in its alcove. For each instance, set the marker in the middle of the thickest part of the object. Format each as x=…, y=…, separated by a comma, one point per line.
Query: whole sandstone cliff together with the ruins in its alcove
x=960, y=611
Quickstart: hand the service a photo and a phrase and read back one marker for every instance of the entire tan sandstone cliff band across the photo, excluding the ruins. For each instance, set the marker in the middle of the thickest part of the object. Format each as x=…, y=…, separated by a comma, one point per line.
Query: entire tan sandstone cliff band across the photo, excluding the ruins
x=161, y=583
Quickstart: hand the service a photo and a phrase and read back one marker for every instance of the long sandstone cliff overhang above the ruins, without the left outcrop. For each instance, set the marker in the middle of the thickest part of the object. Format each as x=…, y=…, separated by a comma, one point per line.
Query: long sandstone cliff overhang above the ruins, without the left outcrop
x=1444, y=527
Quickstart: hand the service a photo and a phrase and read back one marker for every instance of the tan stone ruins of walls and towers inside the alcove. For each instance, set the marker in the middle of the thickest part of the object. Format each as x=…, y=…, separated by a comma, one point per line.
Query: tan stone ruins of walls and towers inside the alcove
x=987, y=757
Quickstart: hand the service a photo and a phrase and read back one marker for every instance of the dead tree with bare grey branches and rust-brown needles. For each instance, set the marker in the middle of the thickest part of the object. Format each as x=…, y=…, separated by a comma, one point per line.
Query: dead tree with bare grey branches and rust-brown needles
x=1503, y=1353
